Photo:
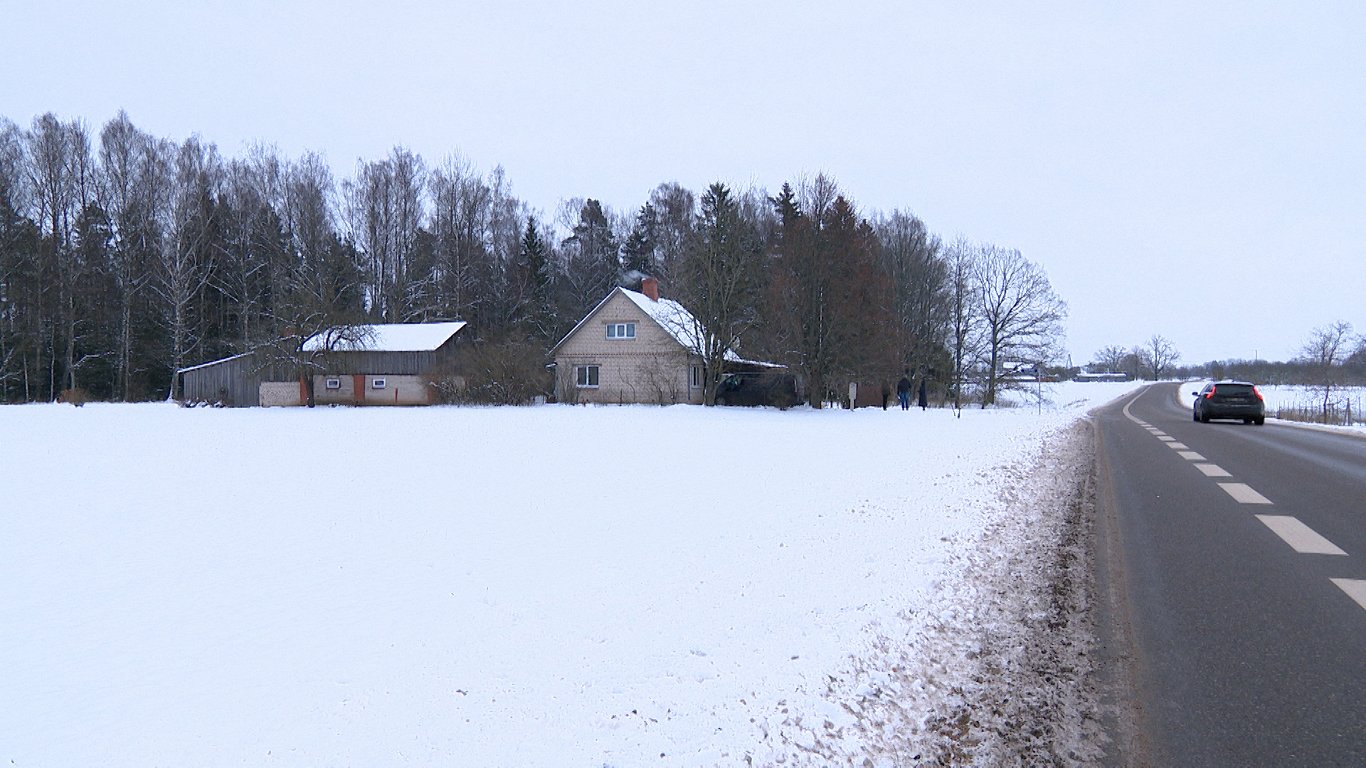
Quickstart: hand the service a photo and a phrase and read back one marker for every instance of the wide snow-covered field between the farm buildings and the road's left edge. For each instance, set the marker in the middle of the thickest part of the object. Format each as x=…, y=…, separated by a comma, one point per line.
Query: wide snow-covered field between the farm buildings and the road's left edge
x=561, y=587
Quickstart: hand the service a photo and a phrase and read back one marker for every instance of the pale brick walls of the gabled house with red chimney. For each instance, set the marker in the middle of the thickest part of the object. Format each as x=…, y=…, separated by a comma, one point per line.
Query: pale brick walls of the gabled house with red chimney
x=651, y=368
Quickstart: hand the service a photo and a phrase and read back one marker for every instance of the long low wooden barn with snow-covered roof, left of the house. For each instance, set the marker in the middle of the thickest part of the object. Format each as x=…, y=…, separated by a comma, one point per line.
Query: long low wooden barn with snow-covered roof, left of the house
x=359, y=366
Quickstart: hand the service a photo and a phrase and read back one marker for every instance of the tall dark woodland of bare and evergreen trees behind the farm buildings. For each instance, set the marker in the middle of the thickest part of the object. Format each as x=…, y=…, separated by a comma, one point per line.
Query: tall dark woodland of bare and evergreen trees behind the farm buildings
x=126, y=258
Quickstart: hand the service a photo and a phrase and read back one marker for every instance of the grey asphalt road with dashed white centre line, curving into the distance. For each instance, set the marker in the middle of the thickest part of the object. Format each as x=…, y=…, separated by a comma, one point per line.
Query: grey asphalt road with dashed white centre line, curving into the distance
x=1236, y=568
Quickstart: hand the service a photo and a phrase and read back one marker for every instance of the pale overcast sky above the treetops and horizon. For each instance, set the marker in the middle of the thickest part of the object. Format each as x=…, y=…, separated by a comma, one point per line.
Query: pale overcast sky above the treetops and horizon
x=1193, y=170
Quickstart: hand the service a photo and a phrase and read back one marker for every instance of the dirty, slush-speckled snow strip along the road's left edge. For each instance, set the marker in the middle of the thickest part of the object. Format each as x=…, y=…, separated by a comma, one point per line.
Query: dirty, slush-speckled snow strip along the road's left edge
x=994, y=669
